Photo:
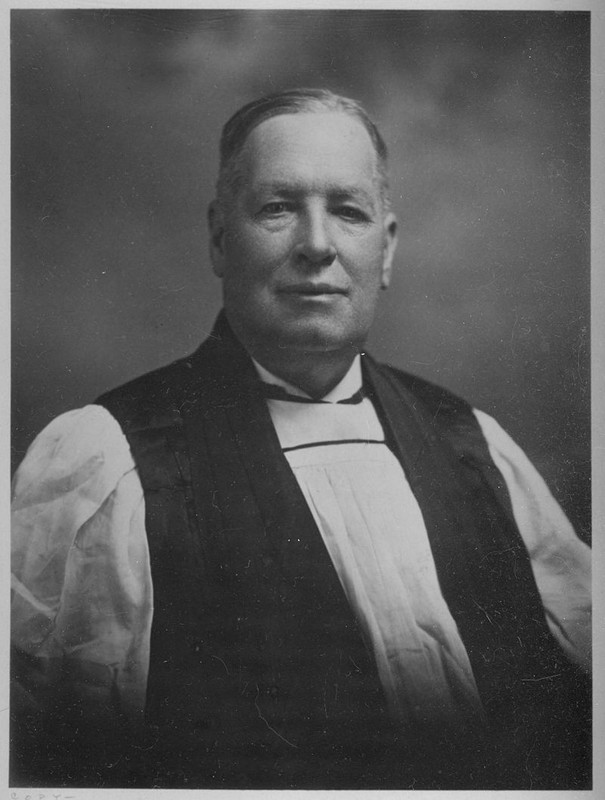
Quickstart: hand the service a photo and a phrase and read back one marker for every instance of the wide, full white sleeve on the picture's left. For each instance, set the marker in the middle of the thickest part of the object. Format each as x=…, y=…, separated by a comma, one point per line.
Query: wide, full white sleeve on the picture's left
x=81, y=579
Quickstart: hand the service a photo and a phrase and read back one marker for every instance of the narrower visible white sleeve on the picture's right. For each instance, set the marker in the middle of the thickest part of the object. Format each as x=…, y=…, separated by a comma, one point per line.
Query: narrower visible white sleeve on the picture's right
x=561, y=562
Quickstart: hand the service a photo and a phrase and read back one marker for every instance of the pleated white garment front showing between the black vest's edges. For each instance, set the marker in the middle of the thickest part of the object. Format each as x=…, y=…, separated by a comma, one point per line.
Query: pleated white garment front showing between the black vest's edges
x=374, y=532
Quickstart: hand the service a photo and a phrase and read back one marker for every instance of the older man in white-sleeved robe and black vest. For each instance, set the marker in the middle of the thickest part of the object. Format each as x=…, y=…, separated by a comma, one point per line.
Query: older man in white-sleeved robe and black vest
x=278, y=564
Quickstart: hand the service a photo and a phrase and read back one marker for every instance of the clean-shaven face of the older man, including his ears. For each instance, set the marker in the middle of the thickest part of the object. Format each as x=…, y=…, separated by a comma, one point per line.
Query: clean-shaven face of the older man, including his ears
x=306, y=245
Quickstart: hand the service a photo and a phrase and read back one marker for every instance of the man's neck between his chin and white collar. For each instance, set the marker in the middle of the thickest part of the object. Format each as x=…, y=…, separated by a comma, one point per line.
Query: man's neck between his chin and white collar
x=314, y=373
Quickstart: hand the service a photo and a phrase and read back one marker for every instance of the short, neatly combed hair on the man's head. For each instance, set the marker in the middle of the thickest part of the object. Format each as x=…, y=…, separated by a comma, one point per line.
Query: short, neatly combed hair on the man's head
x=292, y=101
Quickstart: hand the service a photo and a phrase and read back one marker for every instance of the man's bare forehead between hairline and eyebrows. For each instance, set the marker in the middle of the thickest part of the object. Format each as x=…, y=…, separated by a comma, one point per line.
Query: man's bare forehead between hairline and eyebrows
x=326, y=147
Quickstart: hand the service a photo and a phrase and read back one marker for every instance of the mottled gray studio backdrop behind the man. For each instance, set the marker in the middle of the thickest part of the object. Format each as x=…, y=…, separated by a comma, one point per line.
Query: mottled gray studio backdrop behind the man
x=115, y=122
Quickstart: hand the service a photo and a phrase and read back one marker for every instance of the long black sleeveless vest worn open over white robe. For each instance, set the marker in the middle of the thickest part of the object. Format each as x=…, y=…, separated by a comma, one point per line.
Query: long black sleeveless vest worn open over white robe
x=259, y=676
